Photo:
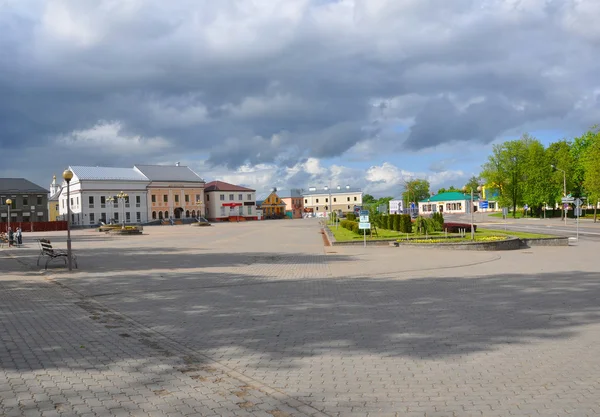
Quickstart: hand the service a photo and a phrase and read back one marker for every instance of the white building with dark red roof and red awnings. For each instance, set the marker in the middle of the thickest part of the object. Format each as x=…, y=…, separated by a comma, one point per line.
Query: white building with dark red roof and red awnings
x=224, y=201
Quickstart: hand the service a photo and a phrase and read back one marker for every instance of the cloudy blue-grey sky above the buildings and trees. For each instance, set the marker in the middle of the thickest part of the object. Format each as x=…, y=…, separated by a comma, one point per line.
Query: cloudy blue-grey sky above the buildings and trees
x=292, y=93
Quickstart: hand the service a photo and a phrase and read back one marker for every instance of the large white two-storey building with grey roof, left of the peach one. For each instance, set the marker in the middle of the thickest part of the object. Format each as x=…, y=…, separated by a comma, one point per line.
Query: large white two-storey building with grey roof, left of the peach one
x=90, y=189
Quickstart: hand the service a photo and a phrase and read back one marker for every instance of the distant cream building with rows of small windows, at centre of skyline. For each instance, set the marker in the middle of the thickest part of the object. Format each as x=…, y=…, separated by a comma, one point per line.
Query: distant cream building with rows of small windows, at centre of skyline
x=321, y=202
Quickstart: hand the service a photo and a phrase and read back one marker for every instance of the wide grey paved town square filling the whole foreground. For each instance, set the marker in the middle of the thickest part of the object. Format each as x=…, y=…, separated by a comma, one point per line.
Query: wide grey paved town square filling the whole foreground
x=260, y=319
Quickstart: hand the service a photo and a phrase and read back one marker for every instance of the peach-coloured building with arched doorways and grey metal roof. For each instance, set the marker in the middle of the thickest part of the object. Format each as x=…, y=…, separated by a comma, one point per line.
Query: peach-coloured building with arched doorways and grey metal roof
x=174, y=191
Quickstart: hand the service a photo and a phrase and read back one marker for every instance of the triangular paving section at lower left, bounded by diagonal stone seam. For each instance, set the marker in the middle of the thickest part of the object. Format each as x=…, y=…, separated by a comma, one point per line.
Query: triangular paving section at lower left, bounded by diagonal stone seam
x=71, y=356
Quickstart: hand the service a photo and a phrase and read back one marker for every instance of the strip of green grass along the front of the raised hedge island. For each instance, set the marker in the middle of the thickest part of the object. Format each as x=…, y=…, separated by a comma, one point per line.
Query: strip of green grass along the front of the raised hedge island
x=345, y=235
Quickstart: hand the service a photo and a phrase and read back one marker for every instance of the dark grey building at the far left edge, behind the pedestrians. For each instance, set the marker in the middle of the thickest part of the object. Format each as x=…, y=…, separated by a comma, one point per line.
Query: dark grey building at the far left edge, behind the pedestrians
x=29, y=202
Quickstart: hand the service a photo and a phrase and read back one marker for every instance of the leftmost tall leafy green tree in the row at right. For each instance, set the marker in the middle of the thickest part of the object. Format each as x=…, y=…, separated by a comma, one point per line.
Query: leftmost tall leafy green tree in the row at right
x=504, y=170
